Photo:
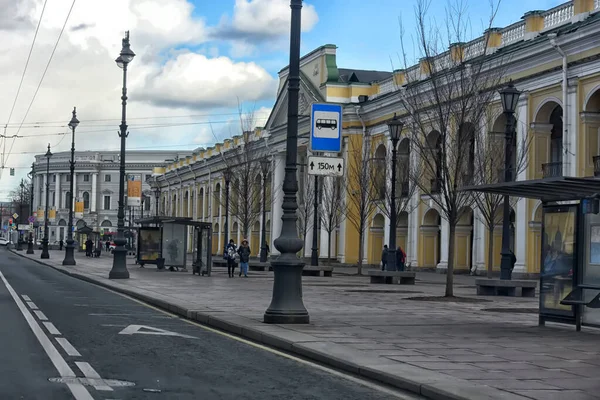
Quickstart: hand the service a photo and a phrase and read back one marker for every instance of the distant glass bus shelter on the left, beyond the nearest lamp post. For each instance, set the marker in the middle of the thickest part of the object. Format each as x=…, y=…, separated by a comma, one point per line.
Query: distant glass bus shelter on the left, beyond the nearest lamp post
x=163, y=241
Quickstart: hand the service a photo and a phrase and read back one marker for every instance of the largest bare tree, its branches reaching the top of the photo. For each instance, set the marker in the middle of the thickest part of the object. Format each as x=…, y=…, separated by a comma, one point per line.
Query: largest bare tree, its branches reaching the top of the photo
x=446, y=111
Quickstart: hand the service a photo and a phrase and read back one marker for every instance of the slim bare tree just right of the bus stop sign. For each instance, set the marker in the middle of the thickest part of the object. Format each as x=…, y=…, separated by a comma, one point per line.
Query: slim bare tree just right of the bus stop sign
x=359, y=187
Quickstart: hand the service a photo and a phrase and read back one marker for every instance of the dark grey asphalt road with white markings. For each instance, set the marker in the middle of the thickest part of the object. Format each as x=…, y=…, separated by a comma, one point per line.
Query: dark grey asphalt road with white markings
x=97, y=344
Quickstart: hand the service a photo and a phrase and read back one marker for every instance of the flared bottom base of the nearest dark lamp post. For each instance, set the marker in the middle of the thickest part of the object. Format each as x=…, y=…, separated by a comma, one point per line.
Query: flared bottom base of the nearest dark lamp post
x=287, y=306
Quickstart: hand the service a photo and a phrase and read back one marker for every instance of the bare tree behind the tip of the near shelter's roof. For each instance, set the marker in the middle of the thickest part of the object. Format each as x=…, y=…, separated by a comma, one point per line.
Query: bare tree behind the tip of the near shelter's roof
x=490, y=168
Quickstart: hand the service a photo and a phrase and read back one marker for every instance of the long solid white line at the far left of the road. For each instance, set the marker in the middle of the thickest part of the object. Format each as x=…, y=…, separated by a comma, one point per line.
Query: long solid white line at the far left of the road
x=79, y=391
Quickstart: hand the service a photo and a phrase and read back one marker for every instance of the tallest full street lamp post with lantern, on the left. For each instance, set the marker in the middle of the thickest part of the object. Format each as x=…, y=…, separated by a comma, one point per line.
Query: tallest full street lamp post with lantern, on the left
x=119, y=268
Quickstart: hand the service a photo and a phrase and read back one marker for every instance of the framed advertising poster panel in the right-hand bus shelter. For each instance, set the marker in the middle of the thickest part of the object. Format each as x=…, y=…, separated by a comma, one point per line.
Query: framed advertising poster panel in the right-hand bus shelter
x=558, y=259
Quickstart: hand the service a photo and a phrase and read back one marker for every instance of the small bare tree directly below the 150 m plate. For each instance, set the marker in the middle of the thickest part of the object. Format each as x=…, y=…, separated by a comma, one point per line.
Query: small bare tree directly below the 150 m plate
x=332, y=207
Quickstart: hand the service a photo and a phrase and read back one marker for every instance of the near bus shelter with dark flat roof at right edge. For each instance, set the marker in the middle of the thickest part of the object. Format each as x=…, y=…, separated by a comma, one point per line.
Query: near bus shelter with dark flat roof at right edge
x=570, y=251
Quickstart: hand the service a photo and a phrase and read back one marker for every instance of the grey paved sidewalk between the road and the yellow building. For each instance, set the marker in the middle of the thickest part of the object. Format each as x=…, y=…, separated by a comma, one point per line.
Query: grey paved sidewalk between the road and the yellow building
x=442, y=350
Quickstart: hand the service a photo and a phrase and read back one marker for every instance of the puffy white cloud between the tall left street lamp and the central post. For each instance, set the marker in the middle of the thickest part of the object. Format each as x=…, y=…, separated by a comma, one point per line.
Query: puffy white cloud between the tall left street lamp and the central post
x=195, y=81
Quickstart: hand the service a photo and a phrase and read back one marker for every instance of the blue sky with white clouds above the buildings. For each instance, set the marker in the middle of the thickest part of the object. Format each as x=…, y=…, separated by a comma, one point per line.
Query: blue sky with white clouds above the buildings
x=203, y=68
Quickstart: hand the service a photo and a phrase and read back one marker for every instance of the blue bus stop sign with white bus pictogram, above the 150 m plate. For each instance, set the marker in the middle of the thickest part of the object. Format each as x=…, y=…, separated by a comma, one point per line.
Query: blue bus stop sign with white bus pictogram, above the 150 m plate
x=326, y=128
